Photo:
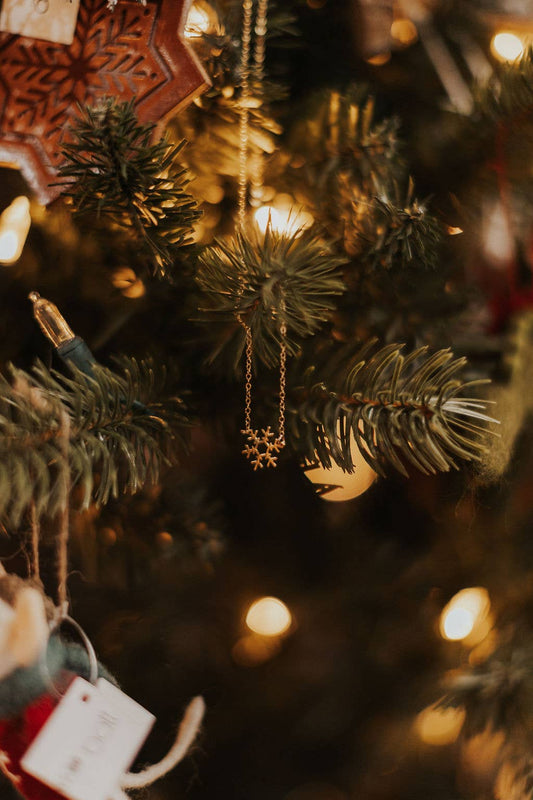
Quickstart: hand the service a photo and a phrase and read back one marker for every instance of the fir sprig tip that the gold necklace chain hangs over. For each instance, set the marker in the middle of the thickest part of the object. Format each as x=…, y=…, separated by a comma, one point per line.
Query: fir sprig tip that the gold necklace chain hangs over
x=263, y=279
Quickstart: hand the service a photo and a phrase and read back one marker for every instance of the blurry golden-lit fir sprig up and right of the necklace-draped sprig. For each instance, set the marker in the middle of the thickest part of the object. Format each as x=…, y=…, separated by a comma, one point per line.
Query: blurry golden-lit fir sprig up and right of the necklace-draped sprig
x=352, y=168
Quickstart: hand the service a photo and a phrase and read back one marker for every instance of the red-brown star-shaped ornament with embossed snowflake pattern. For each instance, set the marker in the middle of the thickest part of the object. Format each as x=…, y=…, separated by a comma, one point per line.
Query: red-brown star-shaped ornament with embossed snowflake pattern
x=133, y=52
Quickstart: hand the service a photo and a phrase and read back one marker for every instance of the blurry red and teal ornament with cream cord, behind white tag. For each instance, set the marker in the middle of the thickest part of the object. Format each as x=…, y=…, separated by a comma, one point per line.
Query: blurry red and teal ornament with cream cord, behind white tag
x=27, y=698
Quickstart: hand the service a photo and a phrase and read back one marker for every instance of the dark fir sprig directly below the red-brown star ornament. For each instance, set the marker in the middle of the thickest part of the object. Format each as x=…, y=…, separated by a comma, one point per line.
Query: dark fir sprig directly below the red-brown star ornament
x=114, y=170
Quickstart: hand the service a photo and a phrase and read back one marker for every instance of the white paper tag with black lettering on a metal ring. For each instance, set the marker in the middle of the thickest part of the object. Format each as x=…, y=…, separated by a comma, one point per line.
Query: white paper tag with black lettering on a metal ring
x=89, y=741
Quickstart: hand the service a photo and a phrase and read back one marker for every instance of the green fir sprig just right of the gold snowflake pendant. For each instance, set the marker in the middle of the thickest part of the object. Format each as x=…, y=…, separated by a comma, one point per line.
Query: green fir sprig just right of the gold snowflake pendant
x=399, y=409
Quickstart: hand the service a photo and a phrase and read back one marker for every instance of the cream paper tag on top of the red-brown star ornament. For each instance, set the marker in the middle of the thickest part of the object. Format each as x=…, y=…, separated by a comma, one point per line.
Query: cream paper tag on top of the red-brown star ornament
x=53, y=20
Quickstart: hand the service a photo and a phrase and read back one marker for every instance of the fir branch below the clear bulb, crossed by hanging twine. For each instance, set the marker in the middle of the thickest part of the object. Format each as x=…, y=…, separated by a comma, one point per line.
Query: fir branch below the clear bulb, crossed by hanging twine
x=117, y=438
